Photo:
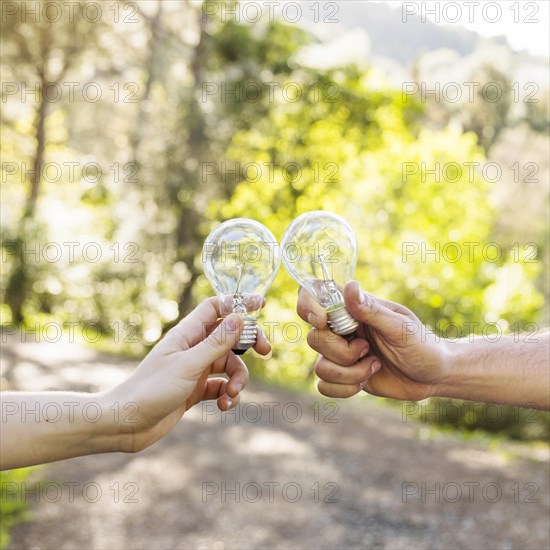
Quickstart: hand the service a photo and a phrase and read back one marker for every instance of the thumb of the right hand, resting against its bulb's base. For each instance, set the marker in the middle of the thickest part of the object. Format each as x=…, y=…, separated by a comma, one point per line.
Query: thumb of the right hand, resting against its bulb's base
x=370, y=310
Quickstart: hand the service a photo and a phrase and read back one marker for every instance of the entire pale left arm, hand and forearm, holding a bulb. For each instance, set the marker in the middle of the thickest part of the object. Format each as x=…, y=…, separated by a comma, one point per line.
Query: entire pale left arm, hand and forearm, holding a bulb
x=170, y=380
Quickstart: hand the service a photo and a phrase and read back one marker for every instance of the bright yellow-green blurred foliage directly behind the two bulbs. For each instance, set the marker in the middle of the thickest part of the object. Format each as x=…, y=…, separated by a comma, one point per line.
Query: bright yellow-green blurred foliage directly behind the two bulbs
x=387, y=209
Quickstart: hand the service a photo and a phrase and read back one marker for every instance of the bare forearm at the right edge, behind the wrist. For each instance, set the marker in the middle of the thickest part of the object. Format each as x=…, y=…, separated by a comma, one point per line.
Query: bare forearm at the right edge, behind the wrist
x=505, y=371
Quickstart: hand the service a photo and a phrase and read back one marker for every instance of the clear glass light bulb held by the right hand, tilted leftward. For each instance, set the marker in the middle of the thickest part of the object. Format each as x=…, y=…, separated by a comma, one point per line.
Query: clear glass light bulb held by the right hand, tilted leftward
x=319, y=252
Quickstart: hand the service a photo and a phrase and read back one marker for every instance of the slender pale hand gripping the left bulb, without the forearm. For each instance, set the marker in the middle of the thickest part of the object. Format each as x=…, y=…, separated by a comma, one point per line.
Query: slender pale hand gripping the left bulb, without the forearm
x=175, y=374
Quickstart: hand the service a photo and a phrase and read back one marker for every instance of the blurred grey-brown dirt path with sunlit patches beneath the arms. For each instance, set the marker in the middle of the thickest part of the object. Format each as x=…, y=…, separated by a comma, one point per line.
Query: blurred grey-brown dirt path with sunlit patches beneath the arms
x=284, y=471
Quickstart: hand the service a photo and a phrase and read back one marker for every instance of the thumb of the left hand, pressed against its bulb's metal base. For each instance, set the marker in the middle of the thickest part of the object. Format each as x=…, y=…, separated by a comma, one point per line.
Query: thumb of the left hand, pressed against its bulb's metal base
x=217, y=344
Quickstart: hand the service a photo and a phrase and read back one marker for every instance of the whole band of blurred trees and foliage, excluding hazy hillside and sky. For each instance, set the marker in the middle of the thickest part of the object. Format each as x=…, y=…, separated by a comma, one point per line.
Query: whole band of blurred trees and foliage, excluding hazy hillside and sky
x=184, y=156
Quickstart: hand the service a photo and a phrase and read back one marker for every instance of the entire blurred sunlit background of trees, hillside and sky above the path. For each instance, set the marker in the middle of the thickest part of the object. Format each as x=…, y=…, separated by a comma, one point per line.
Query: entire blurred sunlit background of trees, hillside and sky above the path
x=162, y=119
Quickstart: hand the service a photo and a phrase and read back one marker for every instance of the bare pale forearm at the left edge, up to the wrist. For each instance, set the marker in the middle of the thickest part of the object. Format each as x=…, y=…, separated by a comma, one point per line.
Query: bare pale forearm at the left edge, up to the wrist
x=47, y=426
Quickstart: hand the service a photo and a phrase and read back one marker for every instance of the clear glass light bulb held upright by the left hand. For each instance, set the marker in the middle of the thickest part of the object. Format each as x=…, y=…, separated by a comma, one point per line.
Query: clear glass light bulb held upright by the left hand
x=241, y=259
